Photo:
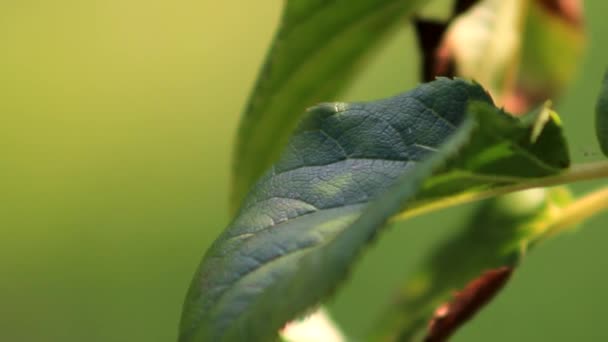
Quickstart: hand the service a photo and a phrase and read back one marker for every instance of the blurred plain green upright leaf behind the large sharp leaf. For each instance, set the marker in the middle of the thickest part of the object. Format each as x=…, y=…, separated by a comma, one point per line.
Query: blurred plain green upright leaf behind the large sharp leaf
x=318, y=47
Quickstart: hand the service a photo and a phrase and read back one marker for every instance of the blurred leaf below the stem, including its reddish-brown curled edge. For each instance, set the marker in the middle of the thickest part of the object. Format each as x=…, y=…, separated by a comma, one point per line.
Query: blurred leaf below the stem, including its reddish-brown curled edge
x=498, y=236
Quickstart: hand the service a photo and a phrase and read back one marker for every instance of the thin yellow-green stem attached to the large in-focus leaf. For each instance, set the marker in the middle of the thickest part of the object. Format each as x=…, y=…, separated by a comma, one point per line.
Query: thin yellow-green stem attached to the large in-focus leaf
x=576, y=173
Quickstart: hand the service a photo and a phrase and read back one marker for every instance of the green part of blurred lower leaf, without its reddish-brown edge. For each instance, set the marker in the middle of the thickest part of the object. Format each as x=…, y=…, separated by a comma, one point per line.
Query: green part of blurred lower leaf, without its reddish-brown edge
x=499, y=234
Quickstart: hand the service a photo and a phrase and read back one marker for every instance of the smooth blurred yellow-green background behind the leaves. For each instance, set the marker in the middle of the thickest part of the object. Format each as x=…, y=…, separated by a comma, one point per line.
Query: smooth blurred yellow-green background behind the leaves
x=116, y=125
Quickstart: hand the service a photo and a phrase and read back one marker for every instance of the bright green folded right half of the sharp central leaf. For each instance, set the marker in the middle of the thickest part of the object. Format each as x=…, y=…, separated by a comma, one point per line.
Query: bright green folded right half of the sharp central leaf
x=506, y=151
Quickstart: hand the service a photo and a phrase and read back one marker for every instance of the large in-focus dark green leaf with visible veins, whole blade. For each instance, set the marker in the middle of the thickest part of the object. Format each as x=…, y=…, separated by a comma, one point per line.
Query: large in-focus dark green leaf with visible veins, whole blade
x=348, y=169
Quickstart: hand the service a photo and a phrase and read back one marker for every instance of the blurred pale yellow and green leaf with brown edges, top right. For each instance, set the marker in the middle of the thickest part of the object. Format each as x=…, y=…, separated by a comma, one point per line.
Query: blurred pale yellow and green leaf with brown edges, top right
x=523, y=51
